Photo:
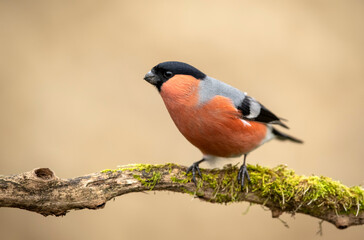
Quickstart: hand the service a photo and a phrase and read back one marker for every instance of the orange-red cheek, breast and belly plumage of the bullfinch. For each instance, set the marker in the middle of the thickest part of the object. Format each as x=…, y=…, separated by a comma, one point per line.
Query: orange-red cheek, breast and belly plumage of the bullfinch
x=215, y=127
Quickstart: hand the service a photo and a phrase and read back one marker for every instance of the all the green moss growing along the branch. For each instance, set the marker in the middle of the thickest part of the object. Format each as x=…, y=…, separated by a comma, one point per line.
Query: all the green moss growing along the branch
x=279, y=185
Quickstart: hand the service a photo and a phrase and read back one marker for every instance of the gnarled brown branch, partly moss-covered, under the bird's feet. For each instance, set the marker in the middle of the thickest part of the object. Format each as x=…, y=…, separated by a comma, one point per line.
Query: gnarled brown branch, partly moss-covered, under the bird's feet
x=279, y=189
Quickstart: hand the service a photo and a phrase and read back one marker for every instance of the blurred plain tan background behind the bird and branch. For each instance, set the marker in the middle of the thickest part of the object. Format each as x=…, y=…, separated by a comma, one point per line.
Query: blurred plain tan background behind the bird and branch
x=72, y=98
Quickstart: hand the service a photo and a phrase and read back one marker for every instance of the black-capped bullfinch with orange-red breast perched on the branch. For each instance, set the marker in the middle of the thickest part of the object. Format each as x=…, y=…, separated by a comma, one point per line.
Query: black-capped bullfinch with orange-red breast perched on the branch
x=218, y=119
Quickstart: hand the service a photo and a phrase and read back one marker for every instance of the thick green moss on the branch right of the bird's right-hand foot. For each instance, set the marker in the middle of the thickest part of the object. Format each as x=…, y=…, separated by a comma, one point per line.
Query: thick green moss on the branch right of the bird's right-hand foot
x=283, y=186
